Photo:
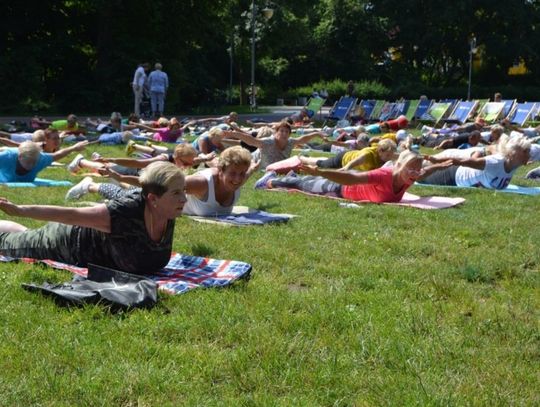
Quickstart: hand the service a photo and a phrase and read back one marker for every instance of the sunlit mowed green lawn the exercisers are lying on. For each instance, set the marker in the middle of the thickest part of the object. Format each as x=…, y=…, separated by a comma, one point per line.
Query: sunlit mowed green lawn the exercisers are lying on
x=380, y=305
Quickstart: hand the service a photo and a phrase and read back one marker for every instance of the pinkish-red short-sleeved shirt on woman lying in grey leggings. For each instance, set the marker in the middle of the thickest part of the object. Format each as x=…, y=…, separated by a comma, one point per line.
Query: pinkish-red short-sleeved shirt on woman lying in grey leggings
x=378, y=189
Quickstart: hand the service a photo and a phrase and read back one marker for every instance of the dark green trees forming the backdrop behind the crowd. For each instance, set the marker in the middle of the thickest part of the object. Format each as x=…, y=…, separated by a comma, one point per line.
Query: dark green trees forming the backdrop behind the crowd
x=75, y=55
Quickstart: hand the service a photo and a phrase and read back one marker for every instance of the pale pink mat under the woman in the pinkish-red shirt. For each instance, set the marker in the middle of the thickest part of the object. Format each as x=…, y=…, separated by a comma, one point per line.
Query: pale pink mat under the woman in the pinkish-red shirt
x=410, y=200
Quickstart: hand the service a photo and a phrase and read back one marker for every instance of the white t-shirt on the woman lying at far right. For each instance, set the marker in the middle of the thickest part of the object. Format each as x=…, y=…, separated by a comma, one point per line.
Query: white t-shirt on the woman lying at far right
x=493, y=176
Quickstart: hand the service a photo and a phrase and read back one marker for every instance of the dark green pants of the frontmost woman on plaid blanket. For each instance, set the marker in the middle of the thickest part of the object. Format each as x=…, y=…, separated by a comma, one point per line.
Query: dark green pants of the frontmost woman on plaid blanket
x=53, y=241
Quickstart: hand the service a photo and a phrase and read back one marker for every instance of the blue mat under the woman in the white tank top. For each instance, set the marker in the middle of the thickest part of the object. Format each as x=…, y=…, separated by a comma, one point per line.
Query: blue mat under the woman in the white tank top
x=244, y=216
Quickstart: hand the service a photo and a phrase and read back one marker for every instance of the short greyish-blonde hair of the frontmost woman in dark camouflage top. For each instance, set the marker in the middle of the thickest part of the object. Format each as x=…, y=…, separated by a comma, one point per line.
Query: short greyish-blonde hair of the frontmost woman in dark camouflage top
x=158, y=176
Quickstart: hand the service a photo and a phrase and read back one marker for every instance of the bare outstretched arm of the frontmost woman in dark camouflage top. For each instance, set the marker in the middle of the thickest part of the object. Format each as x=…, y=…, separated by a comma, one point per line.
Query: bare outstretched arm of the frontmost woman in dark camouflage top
x=95, y=217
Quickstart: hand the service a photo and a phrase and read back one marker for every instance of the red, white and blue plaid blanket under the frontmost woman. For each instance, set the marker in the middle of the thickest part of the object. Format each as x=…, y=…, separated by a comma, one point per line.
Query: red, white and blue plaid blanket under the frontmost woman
x=183, y=272
